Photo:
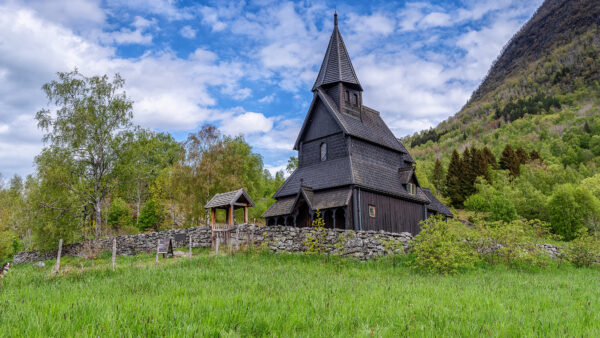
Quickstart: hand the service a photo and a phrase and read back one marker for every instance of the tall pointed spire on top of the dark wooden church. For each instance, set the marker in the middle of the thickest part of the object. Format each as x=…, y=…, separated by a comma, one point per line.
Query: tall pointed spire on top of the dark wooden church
x=336, y=66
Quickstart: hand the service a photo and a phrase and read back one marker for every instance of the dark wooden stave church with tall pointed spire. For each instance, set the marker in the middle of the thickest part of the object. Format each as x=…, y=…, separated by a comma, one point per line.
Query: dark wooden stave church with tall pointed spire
x=350, y=164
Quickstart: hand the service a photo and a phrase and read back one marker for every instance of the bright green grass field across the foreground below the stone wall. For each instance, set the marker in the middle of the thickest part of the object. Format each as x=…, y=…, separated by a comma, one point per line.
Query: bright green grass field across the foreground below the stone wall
x=264, y=294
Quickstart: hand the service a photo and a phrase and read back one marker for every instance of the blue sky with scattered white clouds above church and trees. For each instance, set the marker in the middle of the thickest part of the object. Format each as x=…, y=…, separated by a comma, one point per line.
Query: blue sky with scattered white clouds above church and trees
x=246, y=66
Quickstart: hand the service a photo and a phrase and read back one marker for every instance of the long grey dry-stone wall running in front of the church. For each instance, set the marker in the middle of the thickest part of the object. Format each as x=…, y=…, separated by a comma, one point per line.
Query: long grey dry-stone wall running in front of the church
x=360, y=244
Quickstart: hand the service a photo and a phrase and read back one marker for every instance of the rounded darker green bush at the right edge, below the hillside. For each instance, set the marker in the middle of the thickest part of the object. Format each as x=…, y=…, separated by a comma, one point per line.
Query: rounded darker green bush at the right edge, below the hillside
x=569, y=208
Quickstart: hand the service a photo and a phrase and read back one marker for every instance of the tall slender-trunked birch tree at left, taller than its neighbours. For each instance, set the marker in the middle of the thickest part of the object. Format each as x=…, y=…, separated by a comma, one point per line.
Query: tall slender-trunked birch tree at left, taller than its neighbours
x=86, y=134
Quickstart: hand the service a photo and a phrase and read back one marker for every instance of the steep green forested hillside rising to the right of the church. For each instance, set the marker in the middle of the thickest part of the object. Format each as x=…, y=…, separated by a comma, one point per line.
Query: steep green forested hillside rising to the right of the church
x=527, y=144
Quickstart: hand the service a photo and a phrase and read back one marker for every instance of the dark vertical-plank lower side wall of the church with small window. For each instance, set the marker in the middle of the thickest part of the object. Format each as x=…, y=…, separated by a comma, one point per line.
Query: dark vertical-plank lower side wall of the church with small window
x=392, y=214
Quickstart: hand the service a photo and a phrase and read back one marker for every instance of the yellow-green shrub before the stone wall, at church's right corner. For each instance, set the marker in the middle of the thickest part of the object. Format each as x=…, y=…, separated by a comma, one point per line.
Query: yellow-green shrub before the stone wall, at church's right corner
x=439, y=248
